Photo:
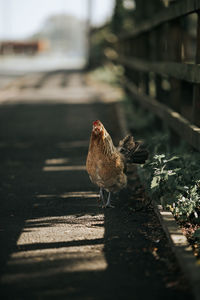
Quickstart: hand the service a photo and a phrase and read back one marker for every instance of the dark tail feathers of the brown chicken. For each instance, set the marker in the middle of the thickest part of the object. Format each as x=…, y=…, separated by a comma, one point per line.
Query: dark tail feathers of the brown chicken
x=133, y=151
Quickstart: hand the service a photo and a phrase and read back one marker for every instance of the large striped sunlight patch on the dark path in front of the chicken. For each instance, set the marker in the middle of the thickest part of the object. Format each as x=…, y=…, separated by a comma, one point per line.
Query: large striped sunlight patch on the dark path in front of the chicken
x=56, y=245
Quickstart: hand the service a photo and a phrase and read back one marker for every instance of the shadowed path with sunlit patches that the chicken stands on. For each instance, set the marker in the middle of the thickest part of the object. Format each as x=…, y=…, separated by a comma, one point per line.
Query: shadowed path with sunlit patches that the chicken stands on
x=56, y=242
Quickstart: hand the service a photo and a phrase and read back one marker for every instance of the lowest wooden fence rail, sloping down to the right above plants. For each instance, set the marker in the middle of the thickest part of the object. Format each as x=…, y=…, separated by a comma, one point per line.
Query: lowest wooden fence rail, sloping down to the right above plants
x=183, y=127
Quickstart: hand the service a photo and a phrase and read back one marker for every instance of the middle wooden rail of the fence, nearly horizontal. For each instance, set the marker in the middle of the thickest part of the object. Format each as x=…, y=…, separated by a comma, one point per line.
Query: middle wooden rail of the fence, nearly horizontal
x=187, y=72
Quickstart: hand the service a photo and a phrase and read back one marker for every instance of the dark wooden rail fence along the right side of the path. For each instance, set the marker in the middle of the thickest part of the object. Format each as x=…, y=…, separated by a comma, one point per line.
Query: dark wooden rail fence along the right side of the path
x=161, y=59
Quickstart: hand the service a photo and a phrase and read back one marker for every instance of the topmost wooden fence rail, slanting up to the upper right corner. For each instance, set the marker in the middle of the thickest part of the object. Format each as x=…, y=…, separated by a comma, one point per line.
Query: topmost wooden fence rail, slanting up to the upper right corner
x=175, y=11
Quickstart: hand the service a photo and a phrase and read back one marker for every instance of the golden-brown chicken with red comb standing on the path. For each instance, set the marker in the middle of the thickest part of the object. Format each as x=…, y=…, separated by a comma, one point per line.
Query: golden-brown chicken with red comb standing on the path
x=106, y=164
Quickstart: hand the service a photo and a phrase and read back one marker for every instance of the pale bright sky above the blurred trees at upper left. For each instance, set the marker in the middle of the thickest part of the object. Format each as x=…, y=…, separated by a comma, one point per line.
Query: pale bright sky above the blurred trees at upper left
x=21, y=18
